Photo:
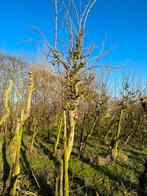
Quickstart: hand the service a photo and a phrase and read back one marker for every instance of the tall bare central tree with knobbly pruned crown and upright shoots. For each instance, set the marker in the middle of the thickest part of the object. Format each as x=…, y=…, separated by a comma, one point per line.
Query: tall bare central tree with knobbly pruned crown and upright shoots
x=74, y=60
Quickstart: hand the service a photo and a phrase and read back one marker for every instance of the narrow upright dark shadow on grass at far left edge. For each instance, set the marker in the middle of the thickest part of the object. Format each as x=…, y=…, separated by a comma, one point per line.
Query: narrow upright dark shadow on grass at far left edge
x=6, y=166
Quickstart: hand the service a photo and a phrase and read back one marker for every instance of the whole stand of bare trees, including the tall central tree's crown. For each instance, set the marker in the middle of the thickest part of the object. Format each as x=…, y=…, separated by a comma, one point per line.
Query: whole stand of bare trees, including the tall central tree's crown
x=70, y=99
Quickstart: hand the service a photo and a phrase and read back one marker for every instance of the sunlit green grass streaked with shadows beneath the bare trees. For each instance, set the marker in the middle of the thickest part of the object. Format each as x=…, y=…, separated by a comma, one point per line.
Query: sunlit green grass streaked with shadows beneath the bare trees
x=94, y=172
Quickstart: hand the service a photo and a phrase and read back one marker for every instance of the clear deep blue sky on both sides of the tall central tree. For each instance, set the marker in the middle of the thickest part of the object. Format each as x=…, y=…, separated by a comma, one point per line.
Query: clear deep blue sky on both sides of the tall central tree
x=123, y=21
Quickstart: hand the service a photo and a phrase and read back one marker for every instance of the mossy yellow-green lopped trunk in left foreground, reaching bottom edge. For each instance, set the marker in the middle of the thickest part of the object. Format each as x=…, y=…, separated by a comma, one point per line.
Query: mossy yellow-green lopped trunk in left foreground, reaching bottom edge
x=16, y=143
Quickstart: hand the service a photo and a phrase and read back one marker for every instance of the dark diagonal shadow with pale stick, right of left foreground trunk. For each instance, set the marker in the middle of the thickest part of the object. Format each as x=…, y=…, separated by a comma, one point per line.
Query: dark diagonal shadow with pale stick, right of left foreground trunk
x=36, y=180
